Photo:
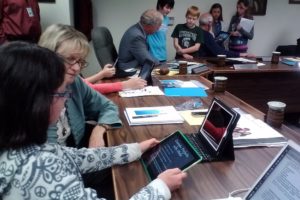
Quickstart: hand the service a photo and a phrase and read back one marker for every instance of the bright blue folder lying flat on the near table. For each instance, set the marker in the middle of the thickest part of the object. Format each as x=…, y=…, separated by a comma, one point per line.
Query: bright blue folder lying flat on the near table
x=185, y=92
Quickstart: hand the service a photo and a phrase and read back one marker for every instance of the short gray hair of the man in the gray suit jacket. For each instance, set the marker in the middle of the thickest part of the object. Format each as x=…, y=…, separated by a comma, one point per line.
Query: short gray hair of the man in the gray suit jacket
x=151, y=17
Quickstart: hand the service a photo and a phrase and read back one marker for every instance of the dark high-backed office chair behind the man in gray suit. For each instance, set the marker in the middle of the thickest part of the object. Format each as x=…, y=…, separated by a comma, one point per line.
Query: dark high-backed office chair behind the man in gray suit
x=104, y=46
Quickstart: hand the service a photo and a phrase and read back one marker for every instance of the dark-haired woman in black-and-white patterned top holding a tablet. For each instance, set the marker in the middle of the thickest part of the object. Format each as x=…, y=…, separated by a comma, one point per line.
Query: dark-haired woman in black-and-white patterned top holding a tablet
x=32, y=95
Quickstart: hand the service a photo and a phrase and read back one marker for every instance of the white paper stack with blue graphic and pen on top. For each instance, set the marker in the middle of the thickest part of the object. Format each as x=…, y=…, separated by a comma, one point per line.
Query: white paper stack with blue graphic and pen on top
x=152, y=115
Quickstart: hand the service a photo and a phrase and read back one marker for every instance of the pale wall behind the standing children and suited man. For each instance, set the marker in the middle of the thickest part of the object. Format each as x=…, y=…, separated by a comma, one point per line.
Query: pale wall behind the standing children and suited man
x=279, y=26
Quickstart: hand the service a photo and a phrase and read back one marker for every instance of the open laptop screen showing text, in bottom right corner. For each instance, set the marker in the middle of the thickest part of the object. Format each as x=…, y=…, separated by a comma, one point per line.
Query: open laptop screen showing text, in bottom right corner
x=281, y=178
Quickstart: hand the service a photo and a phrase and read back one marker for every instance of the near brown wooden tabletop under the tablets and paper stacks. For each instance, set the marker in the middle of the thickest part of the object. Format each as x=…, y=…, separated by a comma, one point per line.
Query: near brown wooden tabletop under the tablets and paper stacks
x=204, y=181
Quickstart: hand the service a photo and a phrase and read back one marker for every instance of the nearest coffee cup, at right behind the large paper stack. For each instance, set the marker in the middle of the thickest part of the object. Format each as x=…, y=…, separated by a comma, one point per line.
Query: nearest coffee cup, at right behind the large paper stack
x=275, y=115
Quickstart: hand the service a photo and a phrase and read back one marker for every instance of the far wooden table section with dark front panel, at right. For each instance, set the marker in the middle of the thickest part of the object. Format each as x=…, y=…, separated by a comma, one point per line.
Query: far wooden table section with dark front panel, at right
x=266, y=83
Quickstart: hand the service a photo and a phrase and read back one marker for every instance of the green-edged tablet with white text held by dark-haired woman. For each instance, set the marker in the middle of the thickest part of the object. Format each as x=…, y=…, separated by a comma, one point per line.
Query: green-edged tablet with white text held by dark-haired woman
x=175, y=151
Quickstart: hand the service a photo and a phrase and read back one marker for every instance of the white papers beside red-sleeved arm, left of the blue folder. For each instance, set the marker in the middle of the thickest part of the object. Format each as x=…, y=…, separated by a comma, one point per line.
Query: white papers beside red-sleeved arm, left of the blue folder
x=147, y=91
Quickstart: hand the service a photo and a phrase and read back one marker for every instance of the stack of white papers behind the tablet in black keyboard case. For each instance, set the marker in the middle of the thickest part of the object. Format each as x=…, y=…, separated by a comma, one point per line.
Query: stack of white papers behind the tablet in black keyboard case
x=254, y=132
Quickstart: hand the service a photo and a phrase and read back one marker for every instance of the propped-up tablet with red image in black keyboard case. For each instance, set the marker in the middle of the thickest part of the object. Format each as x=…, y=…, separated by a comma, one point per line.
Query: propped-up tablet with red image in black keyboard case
x=216, y=123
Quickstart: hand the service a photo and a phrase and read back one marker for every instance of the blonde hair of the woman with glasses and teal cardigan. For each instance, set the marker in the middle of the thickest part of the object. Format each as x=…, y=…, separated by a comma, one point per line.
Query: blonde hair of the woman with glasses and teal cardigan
x=57, y=35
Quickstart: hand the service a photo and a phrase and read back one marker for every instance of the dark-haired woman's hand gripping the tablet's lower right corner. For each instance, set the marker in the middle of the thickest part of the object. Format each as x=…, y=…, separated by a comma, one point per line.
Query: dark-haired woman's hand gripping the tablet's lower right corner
x=173, y=178
